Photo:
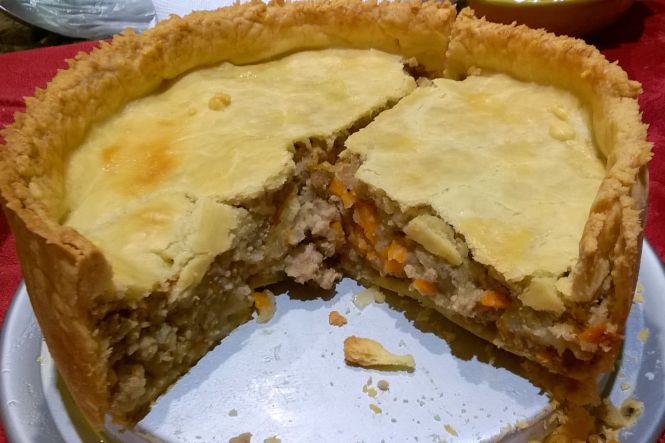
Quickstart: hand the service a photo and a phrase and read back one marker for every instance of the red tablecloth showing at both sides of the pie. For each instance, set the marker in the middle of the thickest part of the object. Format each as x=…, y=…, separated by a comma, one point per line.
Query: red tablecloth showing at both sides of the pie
x=637, y=42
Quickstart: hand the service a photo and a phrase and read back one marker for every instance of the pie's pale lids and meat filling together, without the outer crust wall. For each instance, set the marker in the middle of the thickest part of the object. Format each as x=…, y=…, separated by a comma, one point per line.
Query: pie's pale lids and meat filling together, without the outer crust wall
x=331, y=161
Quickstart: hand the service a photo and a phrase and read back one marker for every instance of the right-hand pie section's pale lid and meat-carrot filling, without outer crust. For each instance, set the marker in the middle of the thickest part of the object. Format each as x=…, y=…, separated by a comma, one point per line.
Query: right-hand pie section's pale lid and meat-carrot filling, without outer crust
x=472, y=196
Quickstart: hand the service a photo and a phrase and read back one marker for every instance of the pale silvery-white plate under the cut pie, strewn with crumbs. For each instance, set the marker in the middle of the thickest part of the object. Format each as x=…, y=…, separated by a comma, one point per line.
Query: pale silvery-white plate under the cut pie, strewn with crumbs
x=287, y=378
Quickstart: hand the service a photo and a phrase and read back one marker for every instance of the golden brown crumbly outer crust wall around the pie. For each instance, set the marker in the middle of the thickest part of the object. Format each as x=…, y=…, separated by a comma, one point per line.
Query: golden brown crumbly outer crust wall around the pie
x=65, y=273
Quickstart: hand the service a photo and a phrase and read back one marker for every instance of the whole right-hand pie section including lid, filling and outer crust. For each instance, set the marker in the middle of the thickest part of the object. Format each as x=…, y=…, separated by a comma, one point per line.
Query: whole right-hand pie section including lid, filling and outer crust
x=509, y=204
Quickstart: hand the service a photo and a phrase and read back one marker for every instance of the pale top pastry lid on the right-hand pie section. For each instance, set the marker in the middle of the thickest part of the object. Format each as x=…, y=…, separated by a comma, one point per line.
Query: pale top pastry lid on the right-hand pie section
x=520, y=196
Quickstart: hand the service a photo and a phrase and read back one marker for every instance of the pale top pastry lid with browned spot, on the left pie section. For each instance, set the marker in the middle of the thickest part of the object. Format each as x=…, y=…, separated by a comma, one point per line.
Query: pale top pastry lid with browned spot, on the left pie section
x=215, y=137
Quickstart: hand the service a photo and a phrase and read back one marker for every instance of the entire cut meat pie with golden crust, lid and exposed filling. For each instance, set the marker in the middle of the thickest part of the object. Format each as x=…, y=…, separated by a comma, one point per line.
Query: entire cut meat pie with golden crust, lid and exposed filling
x=183, y=176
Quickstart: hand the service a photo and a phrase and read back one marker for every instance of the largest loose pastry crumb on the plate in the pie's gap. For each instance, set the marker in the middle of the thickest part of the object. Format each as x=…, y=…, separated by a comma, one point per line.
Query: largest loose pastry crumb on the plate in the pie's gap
x=368, y=353
